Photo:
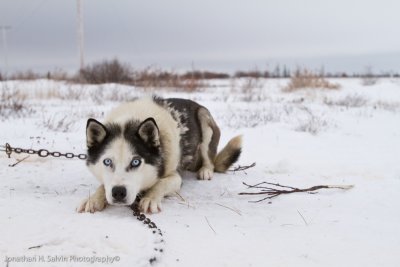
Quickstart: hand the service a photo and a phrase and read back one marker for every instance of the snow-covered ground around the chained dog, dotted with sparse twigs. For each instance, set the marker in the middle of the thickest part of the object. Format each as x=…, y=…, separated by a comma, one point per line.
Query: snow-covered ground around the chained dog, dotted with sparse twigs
x=310, y=137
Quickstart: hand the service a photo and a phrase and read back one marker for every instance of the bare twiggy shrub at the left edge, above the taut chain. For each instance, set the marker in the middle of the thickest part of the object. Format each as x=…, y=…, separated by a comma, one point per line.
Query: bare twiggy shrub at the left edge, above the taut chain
x=12, y=103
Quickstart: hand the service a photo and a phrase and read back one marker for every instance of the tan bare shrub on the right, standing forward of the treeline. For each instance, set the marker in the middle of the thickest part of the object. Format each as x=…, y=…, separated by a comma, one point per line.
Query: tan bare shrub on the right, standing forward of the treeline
x=303, y=78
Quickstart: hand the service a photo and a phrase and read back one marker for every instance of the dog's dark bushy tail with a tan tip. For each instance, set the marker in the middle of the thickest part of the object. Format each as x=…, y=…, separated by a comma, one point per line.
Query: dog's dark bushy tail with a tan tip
x=228, y=155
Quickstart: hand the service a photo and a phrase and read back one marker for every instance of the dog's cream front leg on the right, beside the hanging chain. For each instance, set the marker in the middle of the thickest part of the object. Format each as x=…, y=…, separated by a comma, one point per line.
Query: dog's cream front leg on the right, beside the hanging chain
x=151, y=202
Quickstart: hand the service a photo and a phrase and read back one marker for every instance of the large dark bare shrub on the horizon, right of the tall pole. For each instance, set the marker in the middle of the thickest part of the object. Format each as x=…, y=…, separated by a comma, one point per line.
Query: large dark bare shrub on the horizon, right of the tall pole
x=106, y=71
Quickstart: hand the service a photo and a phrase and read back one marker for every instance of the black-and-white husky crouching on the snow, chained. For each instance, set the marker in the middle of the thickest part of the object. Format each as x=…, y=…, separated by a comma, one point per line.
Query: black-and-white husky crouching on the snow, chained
x=144, y=144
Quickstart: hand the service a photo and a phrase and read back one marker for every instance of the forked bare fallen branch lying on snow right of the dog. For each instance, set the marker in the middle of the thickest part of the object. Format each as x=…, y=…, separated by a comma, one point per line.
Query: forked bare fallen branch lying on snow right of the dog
x=273, y=190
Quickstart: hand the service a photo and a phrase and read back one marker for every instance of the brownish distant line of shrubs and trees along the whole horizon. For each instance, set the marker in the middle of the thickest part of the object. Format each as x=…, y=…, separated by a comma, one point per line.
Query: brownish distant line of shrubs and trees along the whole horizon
x=114, y=71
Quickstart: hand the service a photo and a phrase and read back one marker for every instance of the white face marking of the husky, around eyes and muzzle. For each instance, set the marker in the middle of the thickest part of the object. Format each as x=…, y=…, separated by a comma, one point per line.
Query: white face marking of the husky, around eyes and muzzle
x=115, y=168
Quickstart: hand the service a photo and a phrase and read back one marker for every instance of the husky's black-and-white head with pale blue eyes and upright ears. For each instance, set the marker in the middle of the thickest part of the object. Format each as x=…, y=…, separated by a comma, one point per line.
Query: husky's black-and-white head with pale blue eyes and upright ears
x=127, y=158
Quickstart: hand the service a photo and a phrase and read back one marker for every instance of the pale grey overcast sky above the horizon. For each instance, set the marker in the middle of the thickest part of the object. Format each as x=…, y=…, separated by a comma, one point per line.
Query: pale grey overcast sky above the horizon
x=224, y=35
